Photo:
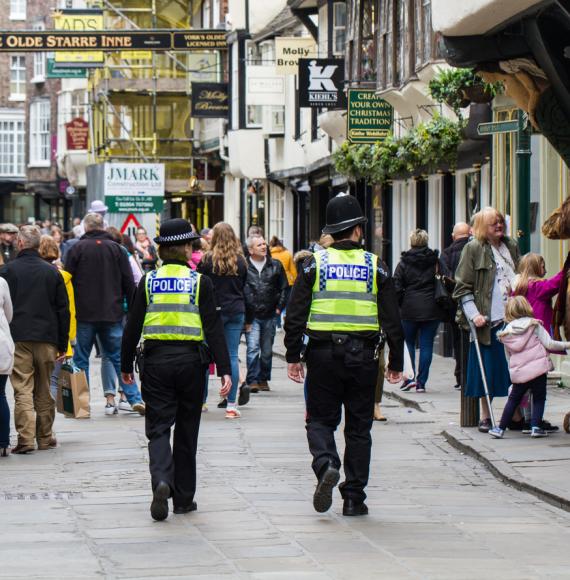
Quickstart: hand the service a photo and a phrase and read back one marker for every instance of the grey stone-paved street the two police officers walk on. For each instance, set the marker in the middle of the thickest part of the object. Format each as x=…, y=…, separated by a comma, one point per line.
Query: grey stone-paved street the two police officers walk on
x=82, y=510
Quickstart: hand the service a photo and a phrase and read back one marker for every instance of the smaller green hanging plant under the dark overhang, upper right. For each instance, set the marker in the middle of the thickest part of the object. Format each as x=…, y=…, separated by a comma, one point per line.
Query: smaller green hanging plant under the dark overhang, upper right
x=449, y=86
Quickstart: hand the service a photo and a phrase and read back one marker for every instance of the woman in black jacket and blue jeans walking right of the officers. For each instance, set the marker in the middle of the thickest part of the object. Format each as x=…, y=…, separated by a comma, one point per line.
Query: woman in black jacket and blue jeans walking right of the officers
x=414, y=280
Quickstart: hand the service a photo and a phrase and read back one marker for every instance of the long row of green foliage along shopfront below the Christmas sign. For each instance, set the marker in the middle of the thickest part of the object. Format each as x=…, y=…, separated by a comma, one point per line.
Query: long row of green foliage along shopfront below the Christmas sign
x=423, y=149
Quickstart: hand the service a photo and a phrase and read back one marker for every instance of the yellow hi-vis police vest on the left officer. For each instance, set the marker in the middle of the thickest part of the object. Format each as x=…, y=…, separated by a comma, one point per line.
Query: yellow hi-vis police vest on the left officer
x=172, y=313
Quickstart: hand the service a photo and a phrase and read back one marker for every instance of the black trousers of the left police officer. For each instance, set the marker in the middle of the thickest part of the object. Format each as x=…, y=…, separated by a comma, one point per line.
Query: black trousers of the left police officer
x=173, y=389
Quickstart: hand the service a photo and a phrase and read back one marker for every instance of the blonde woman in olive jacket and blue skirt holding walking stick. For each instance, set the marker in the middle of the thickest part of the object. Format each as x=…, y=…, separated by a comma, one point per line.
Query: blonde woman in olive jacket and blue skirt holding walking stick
x=483, y=281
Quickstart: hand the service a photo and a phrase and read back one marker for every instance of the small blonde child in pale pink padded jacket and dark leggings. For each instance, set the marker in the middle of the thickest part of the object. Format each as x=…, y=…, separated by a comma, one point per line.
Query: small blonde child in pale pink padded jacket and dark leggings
x=527, y=344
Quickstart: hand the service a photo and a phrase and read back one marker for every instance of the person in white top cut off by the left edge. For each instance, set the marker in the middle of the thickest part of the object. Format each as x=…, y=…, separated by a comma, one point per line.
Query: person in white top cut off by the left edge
x=6, y=364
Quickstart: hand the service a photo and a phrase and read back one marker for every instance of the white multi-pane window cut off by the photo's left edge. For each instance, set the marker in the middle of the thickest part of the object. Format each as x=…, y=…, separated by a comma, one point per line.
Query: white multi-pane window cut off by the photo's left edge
x=12, y=143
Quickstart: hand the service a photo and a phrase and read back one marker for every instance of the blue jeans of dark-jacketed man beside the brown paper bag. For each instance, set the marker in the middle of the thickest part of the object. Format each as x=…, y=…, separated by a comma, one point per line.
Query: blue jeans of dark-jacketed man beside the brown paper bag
x=109, y=335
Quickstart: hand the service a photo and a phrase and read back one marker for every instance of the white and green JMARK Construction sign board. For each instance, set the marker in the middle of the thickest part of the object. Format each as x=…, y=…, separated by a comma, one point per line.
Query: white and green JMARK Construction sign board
x=134, y=187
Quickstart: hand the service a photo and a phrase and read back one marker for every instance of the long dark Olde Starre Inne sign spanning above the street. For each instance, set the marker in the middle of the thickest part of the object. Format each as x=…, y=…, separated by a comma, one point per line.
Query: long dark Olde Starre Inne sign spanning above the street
x=52, y=41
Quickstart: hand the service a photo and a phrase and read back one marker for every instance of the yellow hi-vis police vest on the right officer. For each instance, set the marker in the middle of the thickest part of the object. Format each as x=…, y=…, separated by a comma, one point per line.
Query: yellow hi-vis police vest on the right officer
x=345, y=291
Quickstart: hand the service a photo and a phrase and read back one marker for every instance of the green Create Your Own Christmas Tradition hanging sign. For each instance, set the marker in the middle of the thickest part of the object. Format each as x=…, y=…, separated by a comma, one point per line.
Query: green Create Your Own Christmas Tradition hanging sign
x=369, y=118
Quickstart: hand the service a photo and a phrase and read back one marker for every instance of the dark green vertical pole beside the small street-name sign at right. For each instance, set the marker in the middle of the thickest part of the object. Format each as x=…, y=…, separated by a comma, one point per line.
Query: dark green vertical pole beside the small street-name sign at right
x=523, y=184
